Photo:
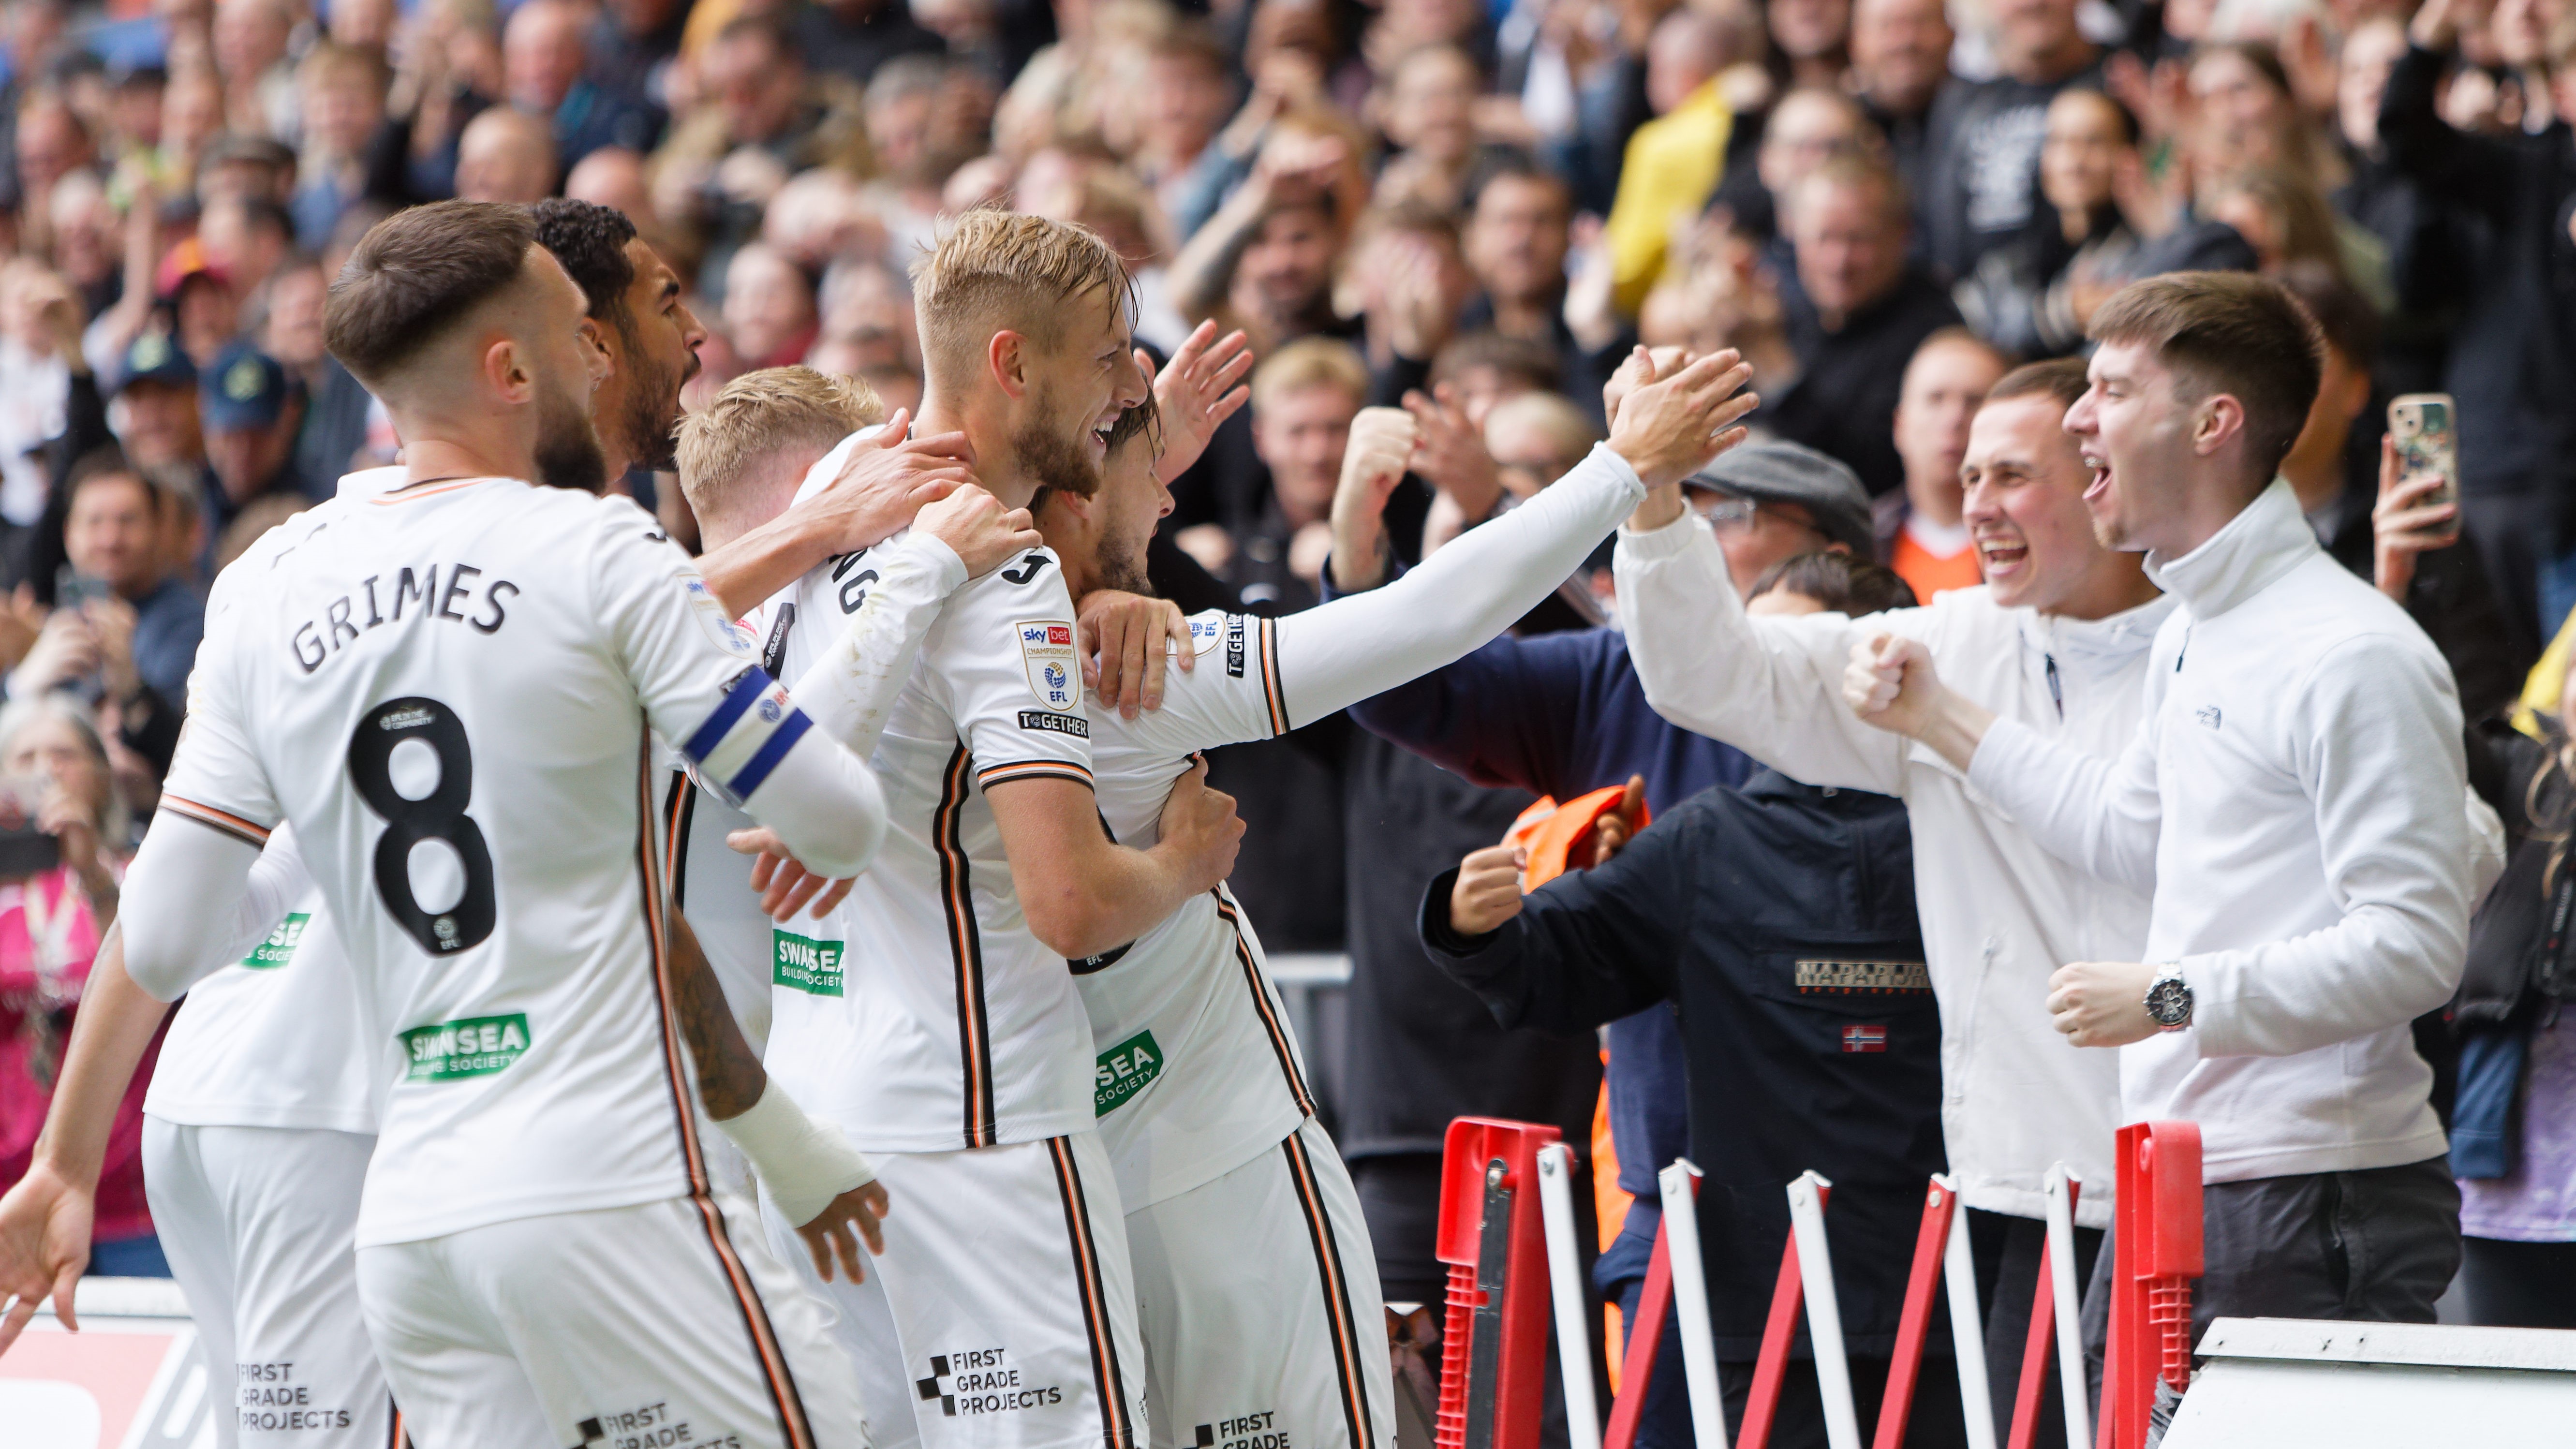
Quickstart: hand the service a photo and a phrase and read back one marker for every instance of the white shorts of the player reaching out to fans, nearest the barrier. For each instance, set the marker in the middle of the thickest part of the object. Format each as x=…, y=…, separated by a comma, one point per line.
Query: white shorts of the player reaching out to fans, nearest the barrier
x=1264, y=1324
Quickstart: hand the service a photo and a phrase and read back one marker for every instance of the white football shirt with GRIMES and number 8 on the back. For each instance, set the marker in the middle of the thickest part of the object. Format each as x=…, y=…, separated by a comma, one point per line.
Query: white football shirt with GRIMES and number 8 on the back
x=450, y=691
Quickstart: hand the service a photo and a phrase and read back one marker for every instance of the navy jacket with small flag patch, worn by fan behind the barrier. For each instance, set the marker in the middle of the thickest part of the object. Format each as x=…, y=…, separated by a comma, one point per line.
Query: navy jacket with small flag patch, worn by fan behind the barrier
x=1781, y=918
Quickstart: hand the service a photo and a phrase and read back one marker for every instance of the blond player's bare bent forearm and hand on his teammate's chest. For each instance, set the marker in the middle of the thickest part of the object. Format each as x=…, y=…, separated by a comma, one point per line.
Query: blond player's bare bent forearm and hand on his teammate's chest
x=1086, y=894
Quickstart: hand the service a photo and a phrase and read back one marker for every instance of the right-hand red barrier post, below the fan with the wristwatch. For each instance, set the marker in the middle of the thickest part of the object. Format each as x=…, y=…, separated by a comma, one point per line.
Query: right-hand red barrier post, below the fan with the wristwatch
x=2155, y=1262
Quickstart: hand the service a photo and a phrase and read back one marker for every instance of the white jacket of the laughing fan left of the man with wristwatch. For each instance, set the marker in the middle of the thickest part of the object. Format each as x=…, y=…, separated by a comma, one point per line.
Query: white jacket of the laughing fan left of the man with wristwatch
x=2000, y=912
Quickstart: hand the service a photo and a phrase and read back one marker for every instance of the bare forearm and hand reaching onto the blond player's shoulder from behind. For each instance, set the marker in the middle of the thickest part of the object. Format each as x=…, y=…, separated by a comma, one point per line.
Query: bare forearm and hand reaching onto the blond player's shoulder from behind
x=877, y=488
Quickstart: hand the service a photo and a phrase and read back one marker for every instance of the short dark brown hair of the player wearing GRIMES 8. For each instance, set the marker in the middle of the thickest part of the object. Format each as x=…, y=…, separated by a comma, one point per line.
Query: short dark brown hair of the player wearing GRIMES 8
x=416, y=277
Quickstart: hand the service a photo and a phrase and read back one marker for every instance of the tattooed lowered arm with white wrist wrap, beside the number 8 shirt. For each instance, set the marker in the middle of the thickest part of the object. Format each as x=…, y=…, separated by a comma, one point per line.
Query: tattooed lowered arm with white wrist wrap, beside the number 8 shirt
x=813, y=1172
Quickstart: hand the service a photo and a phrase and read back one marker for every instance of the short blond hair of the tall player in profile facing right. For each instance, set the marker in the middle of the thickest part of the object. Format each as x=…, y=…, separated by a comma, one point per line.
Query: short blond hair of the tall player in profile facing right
x=1006, y=272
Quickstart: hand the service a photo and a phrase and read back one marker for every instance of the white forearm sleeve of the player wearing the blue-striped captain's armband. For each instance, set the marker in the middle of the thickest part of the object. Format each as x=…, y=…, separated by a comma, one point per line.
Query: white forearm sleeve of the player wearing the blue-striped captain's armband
x=887, y=596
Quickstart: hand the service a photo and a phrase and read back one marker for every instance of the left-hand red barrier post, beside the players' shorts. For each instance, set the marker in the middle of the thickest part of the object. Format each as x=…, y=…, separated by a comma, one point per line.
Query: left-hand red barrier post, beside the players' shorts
x=1493, y=1237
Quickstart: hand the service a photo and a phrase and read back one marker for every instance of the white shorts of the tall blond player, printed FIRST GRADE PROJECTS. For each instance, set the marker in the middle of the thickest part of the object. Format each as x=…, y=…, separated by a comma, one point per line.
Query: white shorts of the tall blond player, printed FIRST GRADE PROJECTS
x=1003, y=1309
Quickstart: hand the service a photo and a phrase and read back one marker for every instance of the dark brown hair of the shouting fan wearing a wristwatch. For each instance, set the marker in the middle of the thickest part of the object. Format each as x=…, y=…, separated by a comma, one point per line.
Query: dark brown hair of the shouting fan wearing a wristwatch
x=2227, y=333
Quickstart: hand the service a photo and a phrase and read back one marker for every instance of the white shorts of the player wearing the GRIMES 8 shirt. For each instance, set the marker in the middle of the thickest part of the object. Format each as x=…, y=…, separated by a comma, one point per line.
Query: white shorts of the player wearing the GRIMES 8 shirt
x=622, y=1329
